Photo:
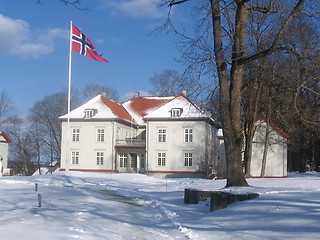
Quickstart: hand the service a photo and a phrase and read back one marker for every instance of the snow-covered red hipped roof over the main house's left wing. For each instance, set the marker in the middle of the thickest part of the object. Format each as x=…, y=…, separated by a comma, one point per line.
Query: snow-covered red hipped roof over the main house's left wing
x=105, y=109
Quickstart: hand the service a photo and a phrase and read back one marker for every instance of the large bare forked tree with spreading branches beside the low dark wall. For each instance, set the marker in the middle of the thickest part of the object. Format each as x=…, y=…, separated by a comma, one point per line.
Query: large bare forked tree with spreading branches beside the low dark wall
x=232, y=52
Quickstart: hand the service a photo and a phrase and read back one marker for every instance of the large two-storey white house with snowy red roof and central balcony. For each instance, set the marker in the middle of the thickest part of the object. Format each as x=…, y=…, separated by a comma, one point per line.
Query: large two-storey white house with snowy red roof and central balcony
x=153, y=135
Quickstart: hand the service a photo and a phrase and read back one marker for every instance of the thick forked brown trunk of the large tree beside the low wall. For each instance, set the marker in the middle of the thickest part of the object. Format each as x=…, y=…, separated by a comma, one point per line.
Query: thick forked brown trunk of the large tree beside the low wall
x=230, y=93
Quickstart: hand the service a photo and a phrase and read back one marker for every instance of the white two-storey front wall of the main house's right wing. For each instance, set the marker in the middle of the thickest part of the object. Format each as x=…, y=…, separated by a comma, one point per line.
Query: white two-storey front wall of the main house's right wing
x=175, y=147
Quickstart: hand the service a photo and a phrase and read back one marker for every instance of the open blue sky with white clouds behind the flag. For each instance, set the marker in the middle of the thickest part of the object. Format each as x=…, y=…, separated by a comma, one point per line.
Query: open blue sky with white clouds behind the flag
x=34, y=47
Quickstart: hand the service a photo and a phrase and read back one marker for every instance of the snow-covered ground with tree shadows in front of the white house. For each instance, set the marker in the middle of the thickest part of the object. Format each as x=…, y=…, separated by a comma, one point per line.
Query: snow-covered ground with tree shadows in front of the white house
x=132, y=206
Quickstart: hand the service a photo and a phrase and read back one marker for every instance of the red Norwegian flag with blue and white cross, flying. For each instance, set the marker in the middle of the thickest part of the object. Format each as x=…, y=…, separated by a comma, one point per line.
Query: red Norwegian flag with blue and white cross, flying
x=81, y=44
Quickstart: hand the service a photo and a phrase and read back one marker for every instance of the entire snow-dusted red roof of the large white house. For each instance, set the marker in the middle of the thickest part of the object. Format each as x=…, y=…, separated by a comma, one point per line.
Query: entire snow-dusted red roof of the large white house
x=136, y=110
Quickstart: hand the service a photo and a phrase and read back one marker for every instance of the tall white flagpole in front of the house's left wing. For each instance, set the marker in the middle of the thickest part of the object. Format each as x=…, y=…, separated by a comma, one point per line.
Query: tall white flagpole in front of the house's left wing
x=69, y=101
